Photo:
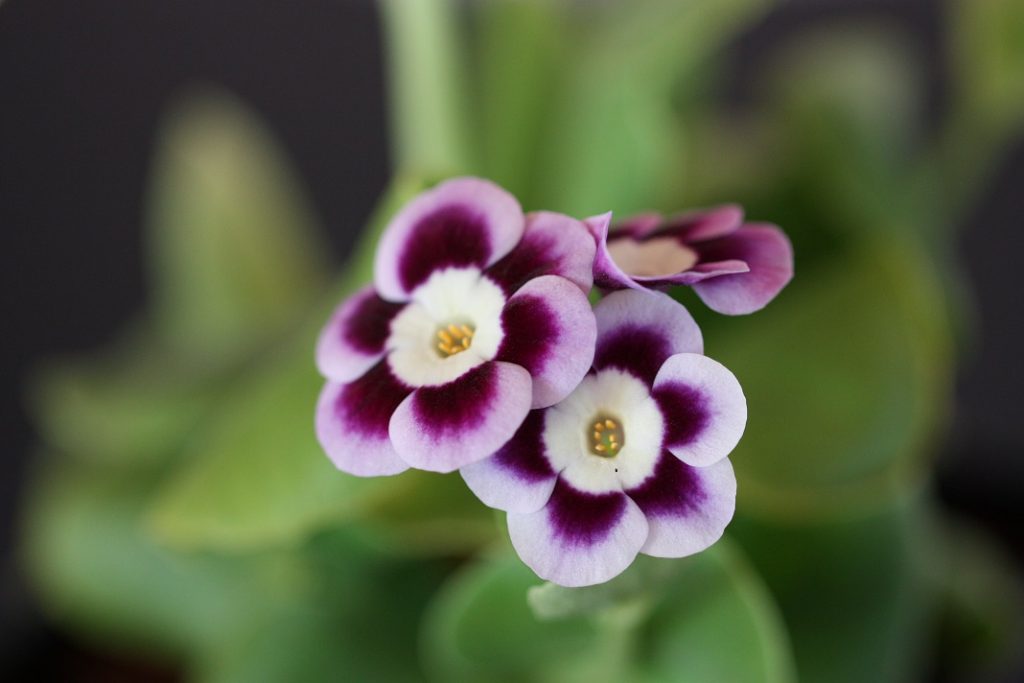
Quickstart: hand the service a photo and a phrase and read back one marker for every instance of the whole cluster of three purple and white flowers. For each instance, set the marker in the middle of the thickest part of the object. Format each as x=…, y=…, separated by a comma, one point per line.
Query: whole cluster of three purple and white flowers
x=603, y=432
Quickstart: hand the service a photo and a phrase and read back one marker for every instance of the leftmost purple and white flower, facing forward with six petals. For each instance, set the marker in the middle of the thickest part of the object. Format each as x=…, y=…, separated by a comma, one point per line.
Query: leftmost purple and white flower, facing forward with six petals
x=478, y=315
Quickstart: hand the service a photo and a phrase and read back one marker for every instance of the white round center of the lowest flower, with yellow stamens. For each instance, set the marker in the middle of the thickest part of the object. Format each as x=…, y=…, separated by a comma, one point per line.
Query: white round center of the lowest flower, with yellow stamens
x=586, y=435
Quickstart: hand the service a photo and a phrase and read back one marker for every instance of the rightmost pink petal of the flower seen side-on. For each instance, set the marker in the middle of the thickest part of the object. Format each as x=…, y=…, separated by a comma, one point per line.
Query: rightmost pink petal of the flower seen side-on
x=769, y=253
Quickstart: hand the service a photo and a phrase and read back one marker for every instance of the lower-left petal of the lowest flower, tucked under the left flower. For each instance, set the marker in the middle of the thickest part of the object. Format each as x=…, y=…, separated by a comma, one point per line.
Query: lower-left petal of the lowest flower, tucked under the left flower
x=519, y=478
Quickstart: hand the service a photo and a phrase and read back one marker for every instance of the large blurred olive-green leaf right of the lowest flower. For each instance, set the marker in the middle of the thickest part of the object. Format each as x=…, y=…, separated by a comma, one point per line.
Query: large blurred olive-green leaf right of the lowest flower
x=847, y=375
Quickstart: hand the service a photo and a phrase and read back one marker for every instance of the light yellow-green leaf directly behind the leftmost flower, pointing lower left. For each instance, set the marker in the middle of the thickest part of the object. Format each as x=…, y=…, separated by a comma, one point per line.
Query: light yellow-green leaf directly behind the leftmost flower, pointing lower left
x=257, y=477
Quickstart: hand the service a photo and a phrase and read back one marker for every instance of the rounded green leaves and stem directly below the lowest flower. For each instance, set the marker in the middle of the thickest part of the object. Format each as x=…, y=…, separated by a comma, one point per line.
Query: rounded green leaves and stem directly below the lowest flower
x=704, y=619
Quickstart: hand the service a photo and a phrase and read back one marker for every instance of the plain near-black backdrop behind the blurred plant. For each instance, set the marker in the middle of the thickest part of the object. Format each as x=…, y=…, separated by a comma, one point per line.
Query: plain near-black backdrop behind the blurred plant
x=82, y=89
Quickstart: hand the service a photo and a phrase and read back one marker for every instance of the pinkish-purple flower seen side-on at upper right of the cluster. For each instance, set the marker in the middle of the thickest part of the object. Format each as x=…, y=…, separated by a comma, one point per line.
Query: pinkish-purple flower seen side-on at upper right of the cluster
x=735, y=268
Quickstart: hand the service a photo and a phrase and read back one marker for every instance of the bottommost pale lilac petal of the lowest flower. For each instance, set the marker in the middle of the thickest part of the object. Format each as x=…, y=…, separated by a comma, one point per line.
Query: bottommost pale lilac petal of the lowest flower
x=580, y=539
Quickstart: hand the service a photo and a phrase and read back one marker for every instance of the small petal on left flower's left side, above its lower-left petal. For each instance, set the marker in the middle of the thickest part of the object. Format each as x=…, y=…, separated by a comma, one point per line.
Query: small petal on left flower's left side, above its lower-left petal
x=354, y=339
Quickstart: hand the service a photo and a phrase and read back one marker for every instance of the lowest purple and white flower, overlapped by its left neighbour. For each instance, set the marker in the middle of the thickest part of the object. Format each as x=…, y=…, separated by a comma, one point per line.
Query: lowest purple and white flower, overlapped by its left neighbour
x=634, y=461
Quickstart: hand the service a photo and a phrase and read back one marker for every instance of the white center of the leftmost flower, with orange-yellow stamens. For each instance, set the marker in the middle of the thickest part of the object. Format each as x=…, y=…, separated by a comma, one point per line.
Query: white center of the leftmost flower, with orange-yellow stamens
x=453, y=324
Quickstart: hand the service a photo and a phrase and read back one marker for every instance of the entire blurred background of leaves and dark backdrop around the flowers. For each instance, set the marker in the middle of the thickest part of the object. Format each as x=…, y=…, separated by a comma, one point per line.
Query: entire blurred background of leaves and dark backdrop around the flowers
x=182, y=186
